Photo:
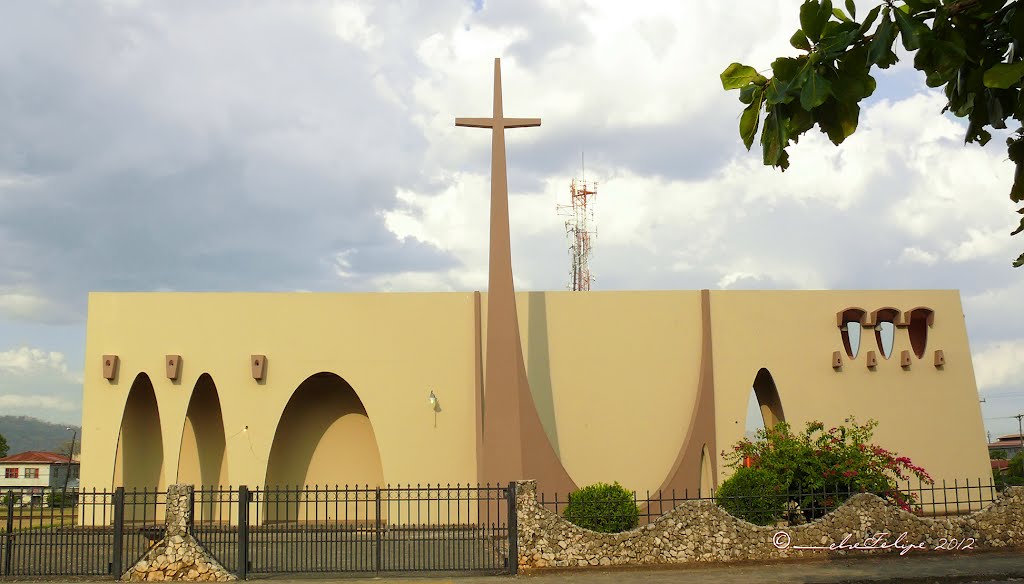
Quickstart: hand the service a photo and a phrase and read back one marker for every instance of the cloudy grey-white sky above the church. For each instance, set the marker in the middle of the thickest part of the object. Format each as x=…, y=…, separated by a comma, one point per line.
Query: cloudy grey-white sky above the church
x=311, y=146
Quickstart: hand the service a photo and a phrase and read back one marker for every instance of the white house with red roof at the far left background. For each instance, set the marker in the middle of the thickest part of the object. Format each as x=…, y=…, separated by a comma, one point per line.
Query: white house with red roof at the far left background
x=32, y=474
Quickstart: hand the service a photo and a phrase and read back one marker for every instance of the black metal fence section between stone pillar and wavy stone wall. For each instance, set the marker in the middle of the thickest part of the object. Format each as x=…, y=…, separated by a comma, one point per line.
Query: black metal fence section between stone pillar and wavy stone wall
x=358, y=530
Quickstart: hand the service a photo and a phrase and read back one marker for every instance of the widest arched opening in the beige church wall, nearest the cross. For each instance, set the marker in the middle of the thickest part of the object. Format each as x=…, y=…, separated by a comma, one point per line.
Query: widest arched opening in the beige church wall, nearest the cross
x=324, y=438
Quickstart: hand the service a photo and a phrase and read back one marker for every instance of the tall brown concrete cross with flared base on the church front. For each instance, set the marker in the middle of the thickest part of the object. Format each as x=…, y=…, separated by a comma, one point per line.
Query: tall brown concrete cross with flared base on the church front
x=515, y=444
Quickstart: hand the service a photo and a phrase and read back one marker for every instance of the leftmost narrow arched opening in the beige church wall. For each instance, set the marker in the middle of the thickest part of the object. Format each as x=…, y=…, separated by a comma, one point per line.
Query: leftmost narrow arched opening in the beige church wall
x=139, y=465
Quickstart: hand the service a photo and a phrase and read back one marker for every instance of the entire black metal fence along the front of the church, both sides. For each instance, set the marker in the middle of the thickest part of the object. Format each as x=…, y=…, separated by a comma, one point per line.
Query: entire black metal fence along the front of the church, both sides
x=356, y=530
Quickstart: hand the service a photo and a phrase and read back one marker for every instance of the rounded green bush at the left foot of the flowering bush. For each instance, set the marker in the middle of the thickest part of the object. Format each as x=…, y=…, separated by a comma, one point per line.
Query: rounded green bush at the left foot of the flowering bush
x=754, y=495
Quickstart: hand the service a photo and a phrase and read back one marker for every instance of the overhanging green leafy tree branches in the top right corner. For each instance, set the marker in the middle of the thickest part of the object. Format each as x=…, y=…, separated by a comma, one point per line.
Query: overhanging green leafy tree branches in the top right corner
x=971, y=49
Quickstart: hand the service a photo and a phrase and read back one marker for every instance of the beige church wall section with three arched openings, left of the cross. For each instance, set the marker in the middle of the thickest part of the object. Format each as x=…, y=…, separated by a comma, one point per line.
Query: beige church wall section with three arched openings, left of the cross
x=392, y=349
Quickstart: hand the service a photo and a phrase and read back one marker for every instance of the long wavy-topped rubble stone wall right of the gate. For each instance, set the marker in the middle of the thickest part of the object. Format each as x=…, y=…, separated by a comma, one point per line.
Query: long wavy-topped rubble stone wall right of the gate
x=701, y=531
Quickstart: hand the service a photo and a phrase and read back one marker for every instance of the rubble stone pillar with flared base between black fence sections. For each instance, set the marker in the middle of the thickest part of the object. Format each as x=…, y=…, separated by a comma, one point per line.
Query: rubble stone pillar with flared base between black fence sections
x=179, y=556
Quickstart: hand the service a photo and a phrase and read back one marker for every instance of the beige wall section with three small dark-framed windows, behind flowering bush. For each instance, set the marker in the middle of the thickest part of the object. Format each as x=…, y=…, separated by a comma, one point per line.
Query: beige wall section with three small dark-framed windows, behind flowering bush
x=931, y=415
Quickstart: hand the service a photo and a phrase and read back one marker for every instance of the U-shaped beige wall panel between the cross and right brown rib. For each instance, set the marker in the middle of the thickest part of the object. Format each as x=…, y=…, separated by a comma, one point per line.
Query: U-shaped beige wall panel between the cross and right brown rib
x=615, y=379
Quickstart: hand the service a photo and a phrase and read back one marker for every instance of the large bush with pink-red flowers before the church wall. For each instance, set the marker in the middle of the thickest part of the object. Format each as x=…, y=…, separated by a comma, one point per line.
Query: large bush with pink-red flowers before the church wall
x=823, y=468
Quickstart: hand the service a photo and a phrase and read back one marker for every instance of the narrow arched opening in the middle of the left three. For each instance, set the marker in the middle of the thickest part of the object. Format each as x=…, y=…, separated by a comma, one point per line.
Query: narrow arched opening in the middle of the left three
x=203, y=457
